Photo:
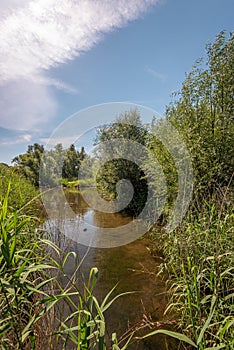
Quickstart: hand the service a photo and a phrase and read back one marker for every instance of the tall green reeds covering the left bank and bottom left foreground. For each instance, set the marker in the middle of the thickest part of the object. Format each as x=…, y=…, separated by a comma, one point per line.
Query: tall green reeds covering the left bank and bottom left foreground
x=31, y=291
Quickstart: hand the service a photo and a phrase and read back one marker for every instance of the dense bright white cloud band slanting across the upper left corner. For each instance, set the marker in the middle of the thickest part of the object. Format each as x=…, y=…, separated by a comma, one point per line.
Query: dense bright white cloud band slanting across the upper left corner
x=47, y=33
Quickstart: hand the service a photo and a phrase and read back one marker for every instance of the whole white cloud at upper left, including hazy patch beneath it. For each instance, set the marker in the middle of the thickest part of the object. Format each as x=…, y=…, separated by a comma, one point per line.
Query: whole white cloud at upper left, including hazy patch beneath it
x=38, y=35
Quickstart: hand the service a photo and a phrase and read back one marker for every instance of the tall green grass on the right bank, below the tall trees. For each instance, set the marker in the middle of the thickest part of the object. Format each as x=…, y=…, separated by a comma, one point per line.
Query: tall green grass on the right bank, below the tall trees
x=199, y=265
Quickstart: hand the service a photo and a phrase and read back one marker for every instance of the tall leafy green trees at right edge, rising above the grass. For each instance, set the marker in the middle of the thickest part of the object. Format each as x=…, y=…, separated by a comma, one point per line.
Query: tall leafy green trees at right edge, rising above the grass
x=203, y=114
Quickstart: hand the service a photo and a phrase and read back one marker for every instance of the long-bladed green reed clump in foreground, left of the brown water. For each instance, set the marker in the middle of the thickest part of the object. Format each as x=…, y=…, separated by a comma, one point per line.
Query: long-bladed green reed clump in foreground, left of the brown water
x=85, y=327
